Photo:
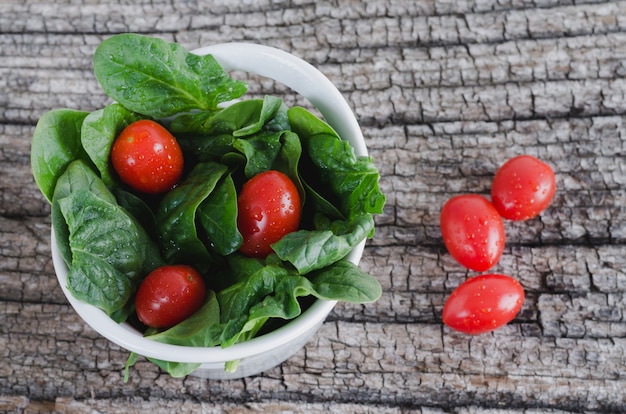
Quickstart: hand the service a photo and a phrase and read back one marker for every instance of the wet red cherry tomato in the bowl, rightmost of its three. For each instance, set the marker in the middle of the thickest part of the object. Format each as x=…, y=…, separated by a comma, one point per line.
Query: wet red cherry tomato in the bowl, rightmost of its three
x=268, y=208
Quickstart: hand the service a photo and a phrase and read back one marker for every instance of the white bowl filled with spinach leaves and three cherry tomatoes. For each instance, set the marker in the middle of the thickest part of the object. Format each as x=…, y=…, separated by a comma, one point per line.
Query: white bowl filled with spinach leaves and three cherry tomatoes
x=208, y=232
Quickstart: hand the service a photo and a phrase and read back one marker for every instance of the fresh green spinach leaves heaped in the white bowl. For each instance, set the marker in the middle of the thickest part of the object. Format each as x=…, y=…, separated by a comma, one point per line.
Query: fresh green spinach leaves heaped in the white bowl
x=111, y=236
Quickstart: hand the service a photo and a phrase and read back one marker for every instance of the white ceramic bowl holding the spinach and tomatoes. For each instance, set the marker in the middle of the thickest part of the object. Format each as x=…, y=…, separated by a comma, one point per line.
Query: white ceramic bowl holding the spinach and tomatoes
x=271, y=349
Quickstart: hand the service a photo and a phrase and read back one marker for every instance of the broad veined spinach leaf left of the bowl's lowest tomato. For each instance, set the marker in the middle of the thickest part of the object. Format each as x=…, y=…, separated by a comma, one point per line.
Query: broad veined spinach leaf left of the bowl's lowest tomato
x=110, y=251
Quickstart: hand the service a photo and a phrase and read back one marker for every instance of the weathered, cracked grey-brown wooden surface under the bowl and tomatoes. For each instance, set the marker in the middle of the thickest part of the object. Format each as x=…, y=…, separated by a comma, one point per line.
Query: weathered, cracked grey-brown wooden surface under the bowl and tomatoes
x=445, y=91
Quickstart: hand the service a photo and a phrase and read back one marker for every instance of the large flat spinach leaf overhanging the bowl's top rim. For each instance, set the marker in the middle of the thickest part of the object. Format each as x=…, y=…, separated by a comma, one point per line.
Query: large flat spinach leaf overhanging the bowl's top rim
x=160, y=79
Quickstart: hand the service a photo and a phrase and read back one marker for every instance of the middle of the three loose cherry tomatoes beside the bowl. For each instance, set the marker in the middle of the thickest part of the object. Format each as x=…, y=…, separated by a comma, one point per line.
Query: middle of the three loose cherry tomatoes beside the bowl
x=473, y=231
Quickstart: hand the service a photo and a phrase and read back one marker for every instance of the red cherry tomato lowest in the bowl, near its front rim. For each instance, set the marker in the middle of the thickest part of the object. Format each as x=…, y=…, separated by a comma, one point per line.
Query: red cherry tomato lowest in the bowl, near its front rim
x=169, y=295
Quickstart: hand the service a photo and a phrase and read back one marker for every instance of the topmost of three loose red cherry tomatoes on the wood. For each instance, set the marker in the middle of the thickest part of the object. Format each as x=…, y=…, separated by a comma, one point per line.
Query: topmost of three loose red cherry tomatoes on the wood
x=522, y=188
